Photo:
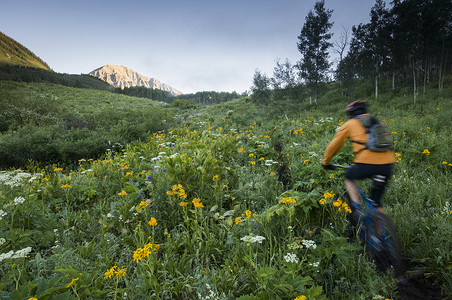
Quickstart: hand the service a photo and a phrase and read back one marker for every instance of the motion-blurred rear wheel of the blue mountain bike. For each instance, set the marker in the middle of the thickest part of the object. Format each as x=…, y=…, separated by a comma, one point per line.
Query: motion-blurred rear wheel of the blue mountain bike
x=384, y=245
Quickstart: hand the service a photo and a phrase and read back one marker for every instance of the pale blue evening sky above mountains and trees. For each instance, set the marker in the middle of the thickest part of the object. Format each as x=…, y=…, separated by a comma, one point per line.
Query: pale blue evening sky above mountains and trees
x=191, y=45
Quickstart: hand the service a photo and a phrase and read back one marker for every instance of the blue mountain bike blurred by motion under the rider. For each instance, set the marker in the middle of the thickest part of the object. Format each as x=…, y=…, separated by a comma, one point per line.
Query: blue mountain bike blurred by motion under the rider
x=378, y=234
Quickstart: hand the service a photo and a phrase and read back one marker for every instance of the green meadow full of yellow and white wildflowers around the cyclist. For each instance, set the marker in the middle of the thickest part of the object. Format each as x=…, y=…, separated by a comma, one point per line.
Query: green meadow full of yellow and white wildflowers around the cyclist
x=105, y=196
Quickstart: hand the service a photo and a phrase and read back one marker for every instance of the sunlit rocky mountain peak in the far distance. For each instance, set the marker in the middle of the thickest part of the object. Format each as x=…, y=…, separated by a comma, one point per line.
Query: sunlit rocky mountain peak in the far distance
x=122, y=77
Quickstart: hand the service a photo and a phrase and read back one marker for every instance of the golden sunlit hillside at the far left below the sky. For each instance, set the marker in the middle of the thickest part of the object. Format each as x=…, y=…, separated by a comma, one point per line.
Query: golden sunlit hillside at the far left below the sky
x=14, y=53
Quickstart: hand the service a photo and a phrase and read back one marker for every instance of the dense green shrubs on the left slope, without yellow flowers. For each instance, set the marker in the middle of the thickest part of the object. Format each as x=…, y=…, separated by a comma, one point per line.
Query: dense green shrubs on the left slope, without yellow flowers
x=54, y=124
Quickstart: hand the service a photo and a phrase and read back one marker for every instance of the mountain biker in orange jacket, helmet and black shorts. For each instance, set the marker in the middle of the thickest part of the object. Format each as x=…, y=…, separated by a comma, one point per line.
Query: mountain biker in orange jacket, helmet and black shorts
x=366, y=164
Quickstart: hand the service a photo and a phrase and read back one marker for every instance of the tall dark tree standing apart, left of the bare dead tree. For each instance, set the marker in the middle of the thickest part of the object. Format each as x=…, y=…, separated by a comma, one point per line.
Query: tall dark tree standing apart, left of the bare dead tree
x=313, y=44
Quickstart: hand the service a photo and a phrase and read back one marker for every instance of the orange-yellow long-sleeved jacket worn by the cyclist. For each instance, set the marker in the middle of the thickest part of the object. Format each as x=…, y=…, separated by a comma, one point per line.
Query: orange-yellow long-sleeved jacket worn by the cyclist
x=355, y=131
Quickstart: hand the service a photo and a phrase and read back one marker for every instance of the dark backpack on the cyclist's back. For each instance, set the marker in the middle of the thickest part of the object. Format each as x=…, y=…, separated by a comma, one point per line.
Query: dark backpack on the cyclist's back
x=379, y=137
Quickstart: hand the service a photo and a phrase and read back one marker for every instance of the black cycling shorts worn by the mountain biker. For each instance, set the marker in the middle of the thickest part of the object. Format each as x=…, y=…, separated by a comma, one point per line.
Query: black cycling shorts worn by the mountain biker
x=379, y=174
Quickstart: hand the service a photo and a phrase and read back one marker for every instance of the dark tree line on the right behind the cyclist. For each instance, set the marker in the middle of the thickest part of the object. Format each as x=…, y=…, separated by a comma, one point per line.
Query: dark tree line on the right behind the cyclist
x=406, y=44
